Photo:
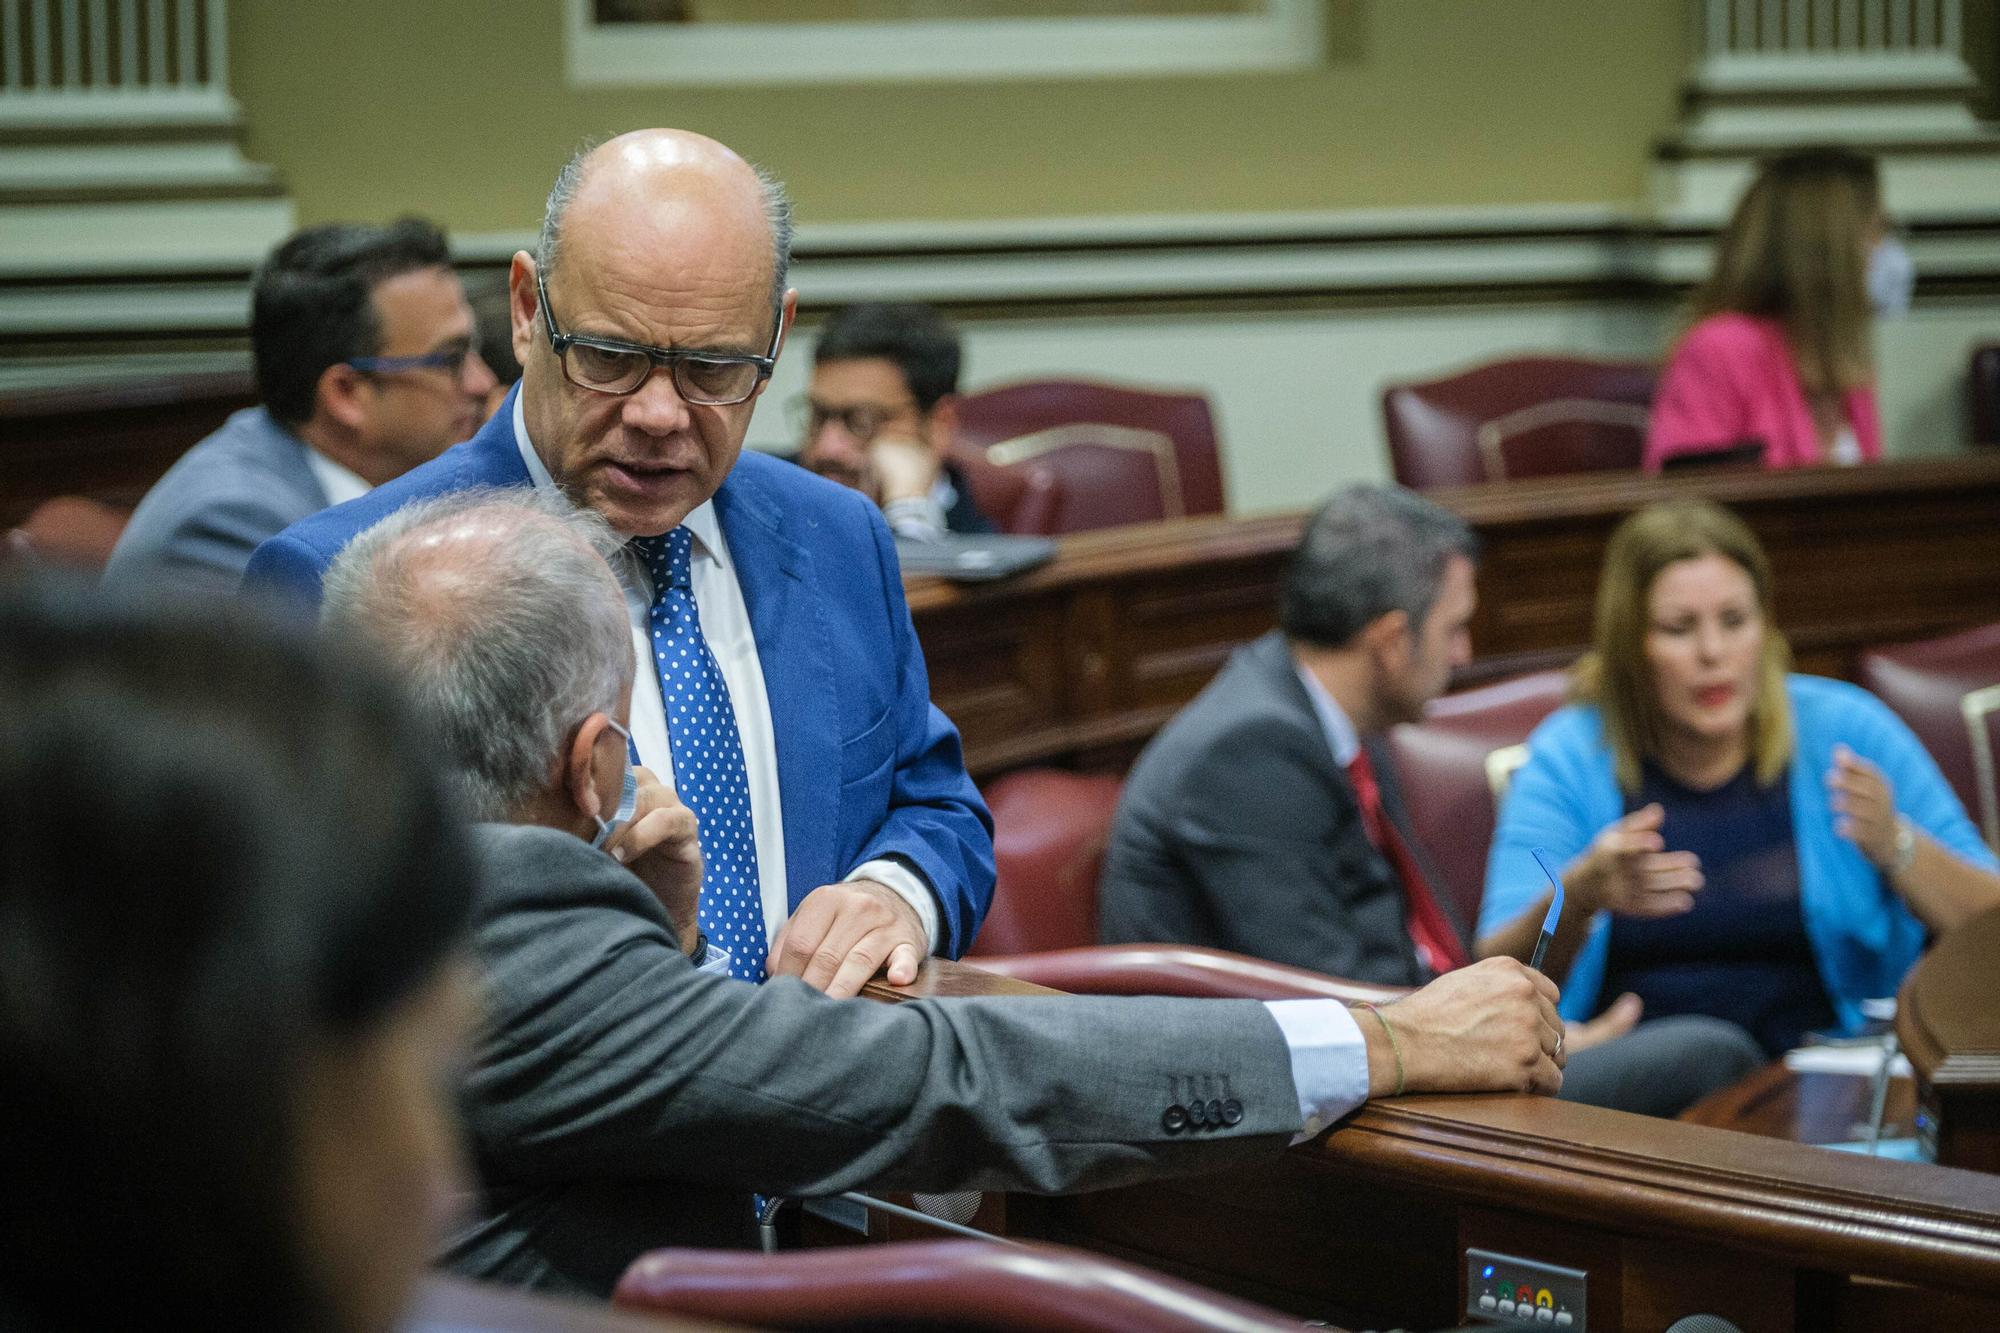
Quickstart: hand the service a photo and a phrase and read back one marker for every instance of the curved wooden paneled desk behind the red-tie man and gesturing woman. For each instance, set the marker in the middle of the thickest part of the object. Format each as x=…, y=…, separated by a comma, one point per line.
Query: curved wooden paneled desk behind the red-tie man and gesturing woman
x=1085, y=659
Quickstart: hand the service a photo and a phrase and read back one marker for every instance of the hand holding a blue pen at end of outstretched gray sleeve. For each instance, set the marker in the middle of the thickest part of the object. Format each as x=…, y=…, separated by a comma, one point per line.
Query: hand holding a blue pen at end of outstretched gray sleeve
x=1489, y=1028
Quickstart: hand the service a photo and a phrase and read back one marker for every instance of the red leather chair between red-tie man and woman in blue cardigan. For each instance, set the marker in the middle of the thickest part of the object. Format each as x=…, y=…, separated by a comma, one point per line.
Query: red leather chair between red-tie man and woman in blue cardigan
x=1455, y=768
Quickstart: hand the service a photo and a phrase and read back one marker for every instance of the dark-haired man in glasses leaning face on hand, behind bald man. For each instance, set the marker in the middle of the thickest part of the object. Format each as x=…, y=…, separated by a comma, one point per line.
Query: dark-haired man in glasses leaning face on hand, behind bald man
x=881, y=415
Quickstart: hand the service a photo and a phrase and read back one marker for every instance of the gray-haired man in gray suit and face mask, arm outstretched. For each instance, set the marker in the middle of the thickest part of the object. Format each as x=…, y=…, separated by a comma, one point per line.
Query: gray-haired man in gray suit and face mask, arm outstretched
x=629, y=1096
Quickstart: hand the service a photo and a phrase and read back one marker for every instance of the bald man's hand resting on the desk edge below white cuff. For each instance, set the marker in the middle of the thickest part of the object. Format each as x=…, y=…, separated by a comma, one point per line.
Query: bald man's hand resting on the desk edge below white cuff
x=847, y=934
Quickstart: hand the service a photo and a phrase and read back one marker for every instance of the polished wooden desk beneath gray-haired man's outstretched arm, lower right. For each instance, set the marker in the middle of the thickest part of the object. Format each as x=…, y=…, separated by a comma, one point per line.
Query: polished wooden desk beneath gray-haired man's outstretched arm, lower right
x=1369, y=1224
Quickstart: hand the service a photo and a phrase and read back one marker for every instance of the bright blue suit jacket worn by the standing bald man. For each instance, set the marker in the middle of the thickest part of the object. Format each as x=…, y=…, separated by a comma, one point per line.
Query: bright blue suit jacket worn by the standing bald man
x=867, y=766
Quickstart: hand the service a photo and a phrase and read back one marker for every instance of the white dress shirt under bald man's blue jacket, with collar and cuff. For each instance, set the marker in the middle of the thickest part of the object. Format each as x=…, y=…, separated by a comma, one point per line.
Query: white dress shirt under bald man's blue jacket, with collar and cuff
x=719, y=599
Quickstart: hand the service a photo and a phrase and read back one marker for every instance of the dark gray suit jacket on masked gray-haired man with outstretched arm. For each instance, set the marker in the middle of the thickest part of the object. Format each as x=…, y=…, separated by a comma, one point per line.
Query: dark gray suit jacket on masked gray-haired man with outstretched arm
x=625, y=1102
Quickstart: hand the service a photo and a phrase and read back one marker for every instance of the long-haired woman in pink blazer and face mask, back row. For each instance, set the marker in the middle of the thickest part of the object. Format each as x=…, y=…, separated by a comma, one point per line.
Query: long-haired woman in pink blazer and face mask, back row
x=1781, y=349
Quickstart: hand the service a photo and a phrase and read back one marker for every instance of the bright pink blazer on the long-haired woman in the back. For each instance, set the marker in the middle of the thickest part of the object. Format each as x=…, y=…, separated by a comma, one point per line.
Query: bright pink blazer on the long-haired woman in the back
x=1731, y=381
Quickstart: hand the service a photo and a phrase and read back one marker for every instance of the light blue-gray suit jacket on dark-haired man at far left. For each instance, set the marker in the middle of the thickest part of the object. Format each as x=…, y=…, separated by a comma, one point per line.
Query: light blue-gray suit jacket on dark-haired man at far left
x=199, y=523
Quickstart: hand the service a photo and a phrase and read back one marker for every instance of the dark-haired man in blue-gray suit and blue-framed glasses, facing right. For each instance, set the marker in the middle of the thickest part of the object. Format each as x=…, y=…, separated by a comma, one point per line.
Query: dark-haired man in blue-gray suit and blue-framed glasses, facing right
x=367, y=365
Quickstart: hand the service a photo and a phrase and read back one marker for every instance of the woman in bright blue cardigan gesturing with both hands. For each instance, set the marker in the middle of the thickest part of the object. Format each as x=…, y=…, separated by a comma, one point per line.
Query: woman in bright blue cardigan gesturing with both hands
x=1737, y=842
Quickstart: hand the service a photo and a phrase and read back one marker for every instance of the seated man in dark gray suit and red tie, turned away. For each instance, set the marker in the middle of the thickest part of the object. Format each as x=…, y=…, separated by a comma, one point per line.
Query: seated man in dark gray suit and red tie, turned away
x=1265, y=818
